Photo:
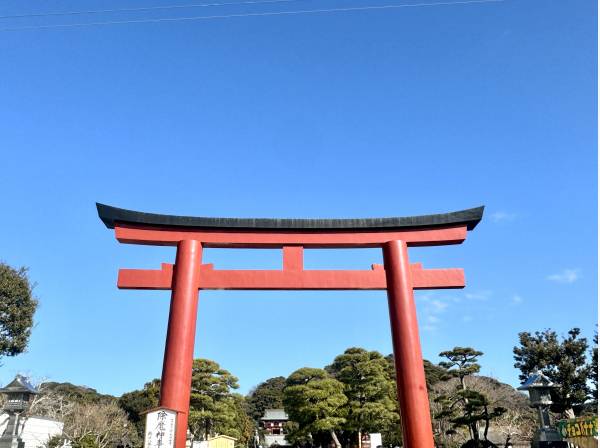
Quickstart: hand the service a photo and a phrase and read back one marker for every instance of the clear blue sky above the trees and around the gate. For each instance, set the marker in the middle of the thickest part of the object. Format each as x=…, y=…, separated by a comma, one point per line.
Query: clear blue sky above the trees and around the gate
x=352, y=114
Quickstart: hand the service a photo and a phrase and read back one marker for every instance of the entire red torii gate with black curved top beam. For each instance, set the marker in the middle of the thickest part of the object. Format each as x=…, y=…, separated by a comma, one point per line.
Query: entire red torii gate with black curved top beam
x=397, y=276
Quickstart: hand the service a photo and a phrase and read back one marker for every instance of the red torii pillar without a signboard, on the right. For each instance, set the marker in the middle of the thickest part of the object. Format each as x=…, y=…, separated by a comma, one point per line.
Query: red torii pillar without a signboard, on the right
x=410, y=373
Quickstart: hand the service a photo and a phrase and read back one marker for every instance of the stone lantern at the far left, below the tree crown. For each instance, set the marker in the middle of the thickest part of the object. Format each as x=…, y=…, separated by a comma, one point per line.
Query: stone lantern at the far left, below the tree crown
x=19, y=394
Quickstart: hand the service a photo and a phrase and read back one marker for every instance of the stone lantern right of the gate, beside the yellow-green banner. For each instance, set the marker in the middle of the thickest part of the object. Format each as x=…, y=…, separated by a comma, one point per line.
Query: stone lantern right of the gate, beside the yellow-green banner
x=539, y=388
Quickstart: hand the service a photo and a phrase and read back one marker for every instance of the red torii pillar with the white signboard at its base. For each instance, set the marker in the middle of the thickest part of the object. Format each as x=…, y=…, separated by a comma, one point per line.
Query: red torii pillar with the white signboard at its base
x=179, y=348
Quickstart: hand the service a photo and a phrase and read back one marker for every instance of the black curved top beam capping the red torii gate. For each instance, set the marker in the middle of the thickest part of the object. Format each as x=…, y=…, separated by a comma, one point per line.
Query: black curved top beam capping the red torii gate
x=112, y=215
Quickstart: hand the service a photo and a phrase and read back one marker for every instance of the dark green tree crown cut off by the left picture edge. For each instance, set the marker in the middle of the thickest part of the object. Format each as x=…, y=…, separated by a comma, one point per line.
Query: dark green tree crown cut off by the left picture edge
x=17, y=307
